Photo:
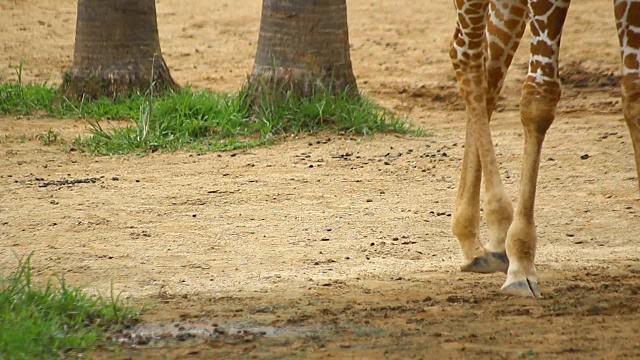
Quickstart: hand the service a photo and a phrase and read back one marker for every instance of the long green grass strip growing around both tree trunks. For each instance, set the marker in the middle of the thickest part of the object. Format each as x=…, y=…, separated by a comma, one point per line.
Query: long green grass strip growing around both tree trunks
x=202, y=120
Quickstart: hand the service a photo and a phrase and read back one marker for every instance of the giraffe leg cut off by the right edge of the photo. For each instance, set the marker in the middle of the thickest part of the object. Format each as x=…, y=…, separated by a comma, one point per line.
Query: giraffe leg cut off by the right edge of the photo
x=627, y=19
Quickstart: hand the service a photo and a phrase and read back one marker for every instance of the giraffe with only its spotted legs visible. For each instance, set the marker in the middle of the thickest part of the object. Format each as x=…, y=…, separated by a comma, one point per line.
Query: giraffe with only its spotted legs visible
x=487, y=35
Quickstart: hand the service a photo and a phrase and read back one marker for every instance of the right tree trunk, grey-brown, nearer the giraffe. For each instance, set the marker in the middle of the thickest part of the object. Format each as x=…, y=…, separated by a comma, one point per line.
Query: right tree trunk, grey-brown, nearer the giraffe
x=303, y=47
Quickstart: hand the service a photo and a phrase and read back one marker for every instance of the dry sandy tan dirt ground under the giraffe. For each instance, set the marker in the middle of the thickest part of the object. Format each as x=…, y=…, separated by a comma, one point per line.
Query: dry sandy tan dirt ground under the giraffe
x=322, y=245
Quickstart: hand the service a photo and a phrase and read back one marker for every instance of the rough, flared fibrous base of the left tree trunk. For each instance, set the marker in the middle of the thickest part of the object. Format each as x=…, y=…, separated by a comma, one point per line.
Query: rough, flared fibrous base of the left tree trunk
x=112, y=82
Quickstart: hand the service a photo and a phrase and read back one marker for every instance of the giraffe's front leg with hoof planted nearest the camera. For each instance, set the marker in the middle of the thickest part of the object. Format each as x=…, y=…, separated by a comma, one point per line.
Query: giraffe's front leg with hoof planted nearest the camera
x=540, y=95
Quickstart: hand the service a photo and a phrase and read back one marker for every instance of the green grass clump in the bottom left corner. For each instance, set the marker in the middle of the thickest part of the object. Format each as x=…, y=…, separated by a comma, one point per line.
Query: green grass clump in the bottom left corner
x=50, y=321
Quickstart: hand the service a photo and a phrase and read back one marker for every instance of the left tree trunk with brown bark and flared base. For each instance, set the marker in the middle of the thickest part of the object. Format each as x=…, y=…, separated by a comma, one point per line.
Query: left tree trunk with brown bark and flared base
x=117, y=50
